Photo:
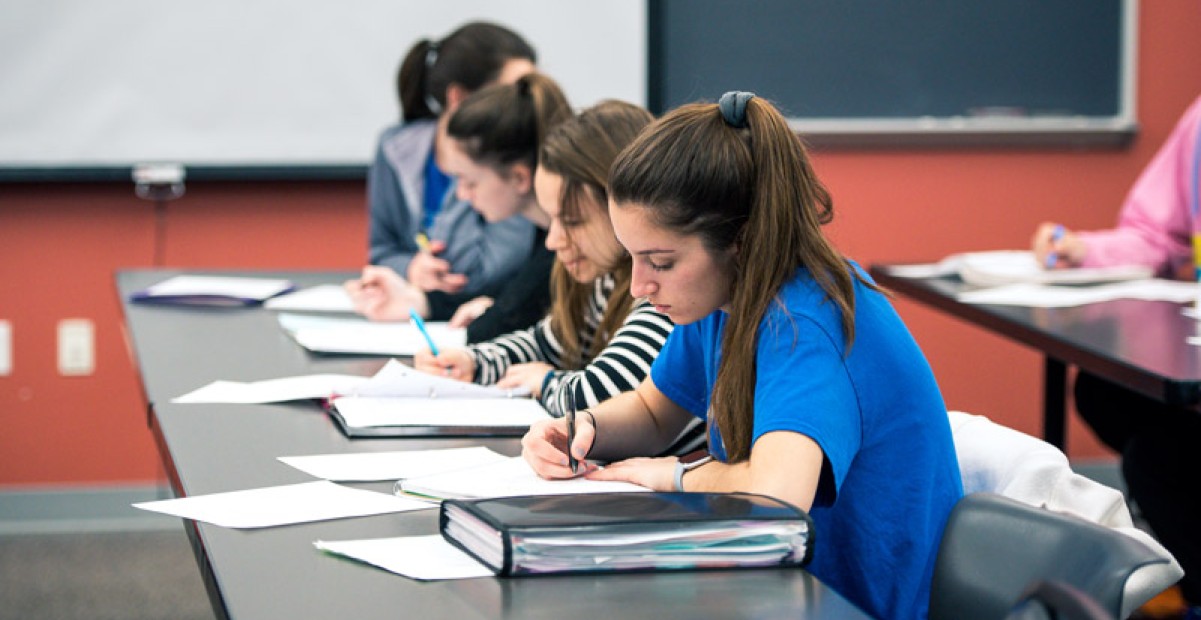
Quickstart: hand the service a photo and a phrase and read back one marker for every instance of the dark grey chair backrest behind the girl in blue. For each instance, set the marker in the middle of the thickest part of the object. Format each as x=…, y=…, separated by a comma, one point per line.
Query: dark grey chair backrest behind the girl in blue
x=994, y=549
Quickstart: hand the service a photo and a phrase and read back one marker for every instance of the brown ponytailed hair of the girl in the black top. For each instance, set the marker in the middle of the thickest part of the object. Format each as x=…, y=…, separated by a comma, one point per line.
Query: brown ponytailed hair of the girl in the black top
x=505, y=124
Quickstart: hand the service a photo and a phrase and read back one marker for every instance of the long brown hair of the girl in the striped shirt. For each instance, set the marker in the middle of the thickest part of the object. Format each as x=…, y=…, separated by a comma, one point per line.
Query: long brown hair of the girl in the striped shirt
x=581, y=152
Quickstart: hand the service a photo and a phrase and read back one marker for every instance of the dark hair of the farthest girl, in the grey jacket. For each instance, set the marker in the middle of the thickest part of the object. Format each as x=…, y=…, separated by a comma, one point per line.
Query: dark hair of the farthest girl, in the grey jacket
x=473, y=57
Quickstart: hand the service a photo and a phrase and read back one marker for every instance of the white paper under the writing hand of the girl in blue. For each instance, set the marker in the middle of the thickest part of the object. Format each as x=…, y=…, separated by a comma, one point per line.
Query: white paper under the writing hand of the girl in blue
x=505, y=480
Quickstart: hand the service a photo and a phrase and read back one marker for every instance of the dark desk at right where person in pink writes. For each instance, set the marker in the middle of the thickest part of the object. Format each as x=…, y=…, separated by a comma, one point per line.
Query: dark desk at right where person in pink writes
x=1130, y=342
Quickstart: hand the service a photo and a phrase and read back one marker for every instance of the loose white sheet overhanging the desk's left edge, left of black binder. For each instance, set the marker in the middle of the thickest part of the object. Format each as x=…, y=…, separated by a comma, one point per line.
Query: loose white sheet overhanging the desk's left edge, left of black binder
x=312, y=502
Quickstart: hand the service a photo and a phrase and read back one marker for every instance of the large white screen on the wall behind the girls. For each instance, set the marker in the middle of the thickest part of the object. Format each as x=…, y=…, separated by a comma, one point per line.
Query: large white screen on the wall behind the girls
x=276, y=84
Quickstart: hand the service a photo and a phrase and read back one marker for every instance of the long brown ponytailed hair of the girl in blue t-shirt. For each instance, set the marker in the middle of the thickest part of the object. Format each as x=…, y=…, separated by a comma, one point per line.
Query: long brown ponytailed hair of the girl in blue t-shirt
x=739, y=188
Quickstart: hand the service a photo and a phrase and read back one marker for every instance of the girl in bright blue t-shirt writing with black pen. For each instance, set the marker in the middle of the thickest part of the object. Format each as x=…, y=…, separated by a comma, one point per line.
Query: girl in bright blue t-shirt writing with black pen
x=814, y=390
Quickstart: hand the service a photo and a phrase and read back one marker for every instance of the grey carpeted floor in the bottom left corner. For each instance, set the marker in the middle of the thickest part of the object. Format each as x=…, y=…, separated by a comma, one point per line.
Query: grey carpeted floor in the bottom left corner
x=99, y=576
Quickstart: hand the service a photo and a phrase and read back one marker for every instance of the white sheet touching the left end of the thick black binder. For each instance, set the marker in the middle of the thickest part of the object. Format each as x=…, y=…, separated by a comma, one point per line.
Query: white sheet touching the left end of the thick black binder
x=426, y=558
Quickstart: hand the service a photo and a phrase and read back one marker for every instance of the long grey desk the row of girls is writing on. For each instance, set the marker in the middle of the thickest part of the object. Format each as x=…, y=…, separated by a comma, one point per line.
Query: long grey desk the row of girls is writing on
x=276, y=573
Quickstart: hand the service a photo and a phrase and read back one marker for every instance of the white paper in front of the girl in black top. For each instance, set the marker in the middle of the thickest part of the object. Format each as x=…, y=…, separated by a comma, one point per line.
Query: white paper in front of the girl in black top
x=325, y=335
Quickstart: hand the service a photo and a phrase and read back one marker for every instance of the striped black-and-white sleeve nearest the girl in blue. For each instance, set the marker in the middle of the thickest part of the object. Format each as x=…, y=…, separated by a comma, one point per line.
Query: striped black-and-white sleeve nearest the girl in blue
x=619, y=368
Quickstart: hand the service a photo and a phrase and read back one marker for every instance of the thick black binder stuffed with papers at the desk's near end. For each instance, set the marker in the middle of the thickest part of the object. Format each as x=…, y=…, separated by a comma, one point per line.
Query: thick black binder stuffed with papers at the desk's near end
x=629, y=532
